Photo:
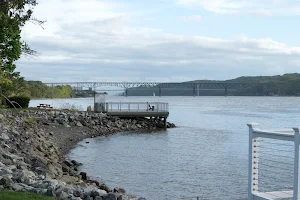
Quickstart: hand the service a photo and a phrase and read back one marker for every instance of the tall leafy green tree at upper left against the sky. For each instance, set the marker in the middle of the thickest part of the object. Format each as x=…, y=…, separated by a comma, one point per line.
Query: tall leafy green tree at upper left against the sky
x=13, y=16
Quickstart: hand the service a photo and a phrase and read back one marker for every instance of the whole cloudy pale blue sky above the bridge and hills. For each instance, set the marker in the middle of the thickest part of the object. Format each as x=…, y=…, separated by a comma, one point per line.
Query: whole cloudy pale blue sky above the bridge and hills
x=161, y=40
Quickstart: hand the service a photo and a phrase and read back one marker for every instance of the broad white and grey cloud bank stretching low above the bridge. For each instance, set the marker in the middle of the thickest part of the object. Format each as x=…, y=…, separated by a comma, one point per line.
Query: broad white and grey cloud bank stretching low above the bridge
x=95, y=41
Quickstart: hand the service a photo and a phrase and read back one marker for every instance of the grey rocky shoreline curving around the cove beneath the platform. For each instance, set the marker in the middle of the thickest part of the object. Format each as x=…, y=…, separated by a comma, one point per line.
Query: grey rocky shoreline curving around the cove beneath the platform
x=33, y=145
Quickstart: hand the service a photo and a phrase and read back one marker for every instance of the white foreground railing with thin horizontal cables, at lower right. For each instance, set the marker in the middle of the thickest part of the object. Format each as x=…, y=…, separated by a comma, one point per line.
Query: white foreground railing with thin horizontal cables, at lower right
x=273, y=164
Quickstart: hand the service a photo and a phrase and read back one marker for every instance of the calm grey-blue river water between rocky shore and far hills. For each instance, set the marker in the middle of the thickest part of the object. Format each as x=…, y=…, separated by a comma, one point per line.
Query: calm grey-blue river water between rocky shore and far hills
x=205, y=156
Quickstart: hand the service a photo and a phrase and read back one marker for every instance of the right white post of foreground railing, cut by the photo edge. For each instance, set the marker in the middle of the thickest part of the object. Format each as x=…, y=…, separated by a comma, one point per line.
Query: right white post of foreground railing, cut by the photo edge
x=296, y=195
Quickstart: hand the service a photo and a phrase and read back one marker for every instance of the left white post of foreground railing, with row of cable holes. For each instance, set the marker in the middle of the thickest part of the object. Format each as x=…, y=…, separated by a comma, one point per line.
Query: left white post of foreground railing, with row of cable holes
x=253, y=161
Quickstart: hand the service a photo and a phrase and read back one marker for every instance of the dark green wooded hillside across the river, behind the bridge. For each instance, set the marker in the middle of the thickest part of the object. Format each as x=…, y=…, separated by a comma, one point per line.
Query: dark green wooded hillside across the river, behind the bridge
x=285, y=85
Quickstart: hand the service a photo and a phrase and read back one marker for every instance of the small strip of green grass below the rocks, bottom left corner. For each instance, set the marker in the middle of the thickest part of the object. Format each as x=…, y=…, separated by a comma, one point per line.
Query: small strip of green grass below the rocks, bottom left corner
x=11, y=195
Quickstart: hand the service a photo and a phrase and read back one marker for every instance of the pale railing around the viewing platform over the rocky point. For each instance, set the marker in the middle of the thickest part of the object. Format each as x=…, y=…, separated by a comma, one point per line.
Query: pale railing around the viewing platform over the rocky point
x=136, y=107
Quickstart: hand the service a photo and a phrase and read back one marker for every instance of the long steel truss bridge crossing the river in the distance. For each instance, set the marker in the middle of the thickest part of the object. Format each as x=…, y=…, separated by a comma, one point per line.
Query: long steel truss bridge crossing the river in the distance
x=196, y=86
